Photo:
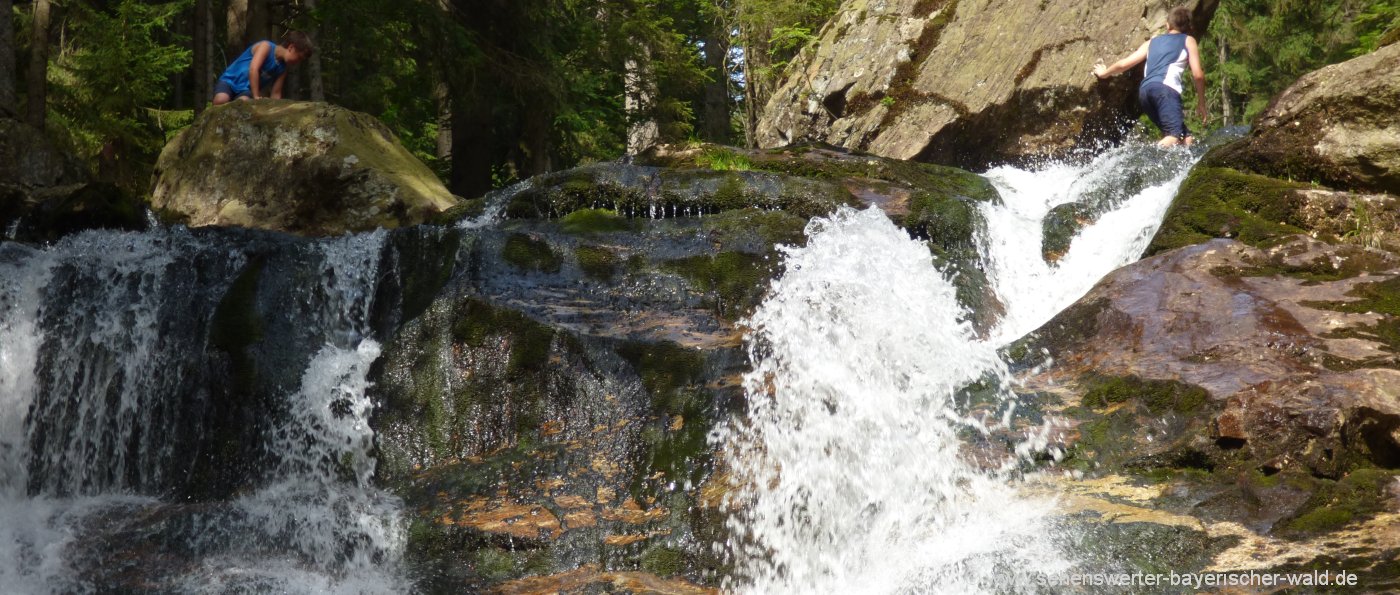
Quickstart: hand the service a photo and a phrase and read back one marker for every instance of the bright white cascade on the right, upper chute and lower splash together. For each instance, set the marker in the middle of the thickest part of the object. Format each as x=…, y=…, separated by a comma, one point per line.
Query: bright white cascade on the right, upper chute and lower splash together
x=849, y=472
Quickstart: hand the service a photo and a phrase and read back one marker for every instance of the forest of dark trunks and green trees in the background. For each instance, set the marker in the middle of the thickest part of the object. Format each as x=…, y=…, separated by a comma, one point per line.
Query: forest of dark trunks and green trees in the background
x=493, y=92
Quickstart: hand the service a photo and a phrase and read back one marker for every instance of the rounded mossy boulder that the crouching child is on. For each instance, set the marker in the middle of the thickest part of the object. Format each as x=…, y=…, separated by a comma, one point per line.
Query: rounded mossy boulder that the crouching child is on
x=297, y=167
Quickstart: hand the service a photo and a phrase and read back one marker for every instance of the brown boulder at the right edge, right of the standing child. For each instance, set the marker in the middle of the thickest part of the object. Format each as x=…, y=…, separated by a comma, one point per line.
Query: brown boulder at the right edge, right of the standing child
x=1339, y=127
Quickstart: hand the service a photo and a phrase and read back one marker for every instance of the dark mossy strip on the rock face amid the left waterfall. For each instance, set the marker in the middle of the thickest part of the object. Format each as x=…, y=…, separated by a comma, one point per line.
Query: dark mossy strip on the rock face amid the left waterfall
x=239, y=325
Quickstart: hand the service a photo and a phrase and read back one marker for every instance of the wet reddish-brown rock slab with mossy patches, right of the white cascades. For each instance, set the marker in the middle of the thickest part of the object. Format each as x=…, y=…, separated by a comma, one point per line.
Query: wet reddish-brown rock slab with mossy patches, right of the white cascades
x=1286, y=369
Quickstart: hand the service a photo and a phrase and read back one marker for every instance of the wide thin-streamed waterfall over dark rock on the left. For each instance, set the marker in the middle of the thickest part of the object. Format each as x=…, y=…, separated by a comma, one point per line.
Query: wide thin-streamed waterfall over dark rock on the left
x=108, y=407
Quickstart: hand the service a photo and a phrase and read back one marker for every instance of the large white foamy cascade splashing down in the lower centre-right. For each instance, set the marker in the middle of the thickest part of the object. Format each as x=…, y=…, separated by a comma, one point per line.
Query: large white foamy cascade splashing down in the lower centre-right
x=848, y=467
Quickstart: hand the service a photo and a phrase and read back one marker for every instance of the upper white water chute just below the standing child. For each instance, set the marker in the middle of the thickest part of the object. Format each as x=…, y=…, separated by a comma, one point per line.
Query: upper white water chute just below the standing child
x=1032, y=290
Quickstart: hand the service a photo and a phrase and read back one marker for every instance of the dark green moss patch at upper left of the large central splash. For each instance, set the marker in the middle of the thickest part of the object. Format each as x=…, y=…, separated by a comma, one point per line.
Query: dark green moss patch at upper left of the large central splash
x=737, y=281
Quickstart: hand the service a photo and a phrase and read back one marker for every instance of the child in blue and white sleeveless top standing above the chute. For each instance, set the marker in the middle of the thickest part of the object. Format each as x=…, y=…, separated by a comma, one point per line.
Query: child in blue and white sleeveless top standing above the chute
x=1160, y=94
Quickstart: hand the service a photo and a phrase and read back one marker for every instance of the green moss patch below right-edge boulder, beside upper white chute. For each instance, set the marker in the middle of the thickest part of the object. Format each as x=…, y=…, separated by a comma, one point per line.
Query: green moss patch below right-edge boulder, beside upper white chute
x=1227, y=204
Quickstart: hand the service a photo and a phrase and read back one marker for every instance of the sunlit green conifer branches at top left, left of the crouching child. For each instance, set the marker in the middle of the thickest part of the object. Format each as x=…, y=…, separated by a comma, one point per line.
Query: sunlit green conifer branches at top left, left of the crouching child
x=111, y=76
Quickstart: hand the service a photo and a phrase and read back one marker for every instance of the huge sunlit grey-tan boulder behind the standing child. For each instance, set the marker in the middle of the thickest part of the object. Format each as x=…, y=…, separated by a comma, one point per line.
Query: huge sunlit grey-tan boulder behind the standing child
x=965, y=82
